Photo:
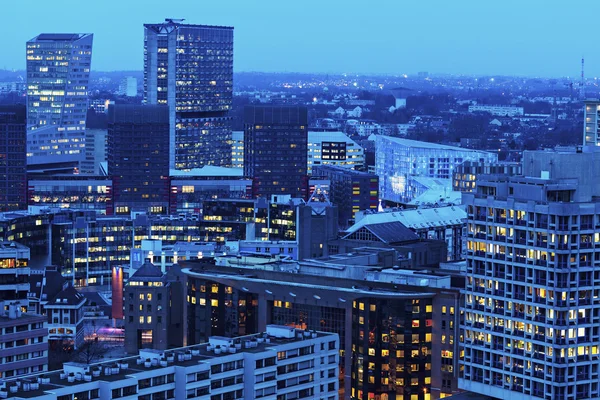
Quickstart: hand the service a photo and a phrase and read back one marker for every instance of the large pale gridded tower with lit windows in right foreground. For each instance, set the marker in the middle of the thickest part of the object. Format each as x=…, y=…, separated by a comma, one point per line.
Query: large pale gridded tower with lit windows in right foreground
x=531, y=313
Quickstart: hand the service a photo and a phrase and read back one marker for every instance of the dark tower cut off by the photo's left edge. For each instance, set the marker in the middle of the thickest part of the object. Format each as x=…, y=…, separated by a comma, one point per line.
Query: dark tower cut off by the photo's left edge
x=13, y=163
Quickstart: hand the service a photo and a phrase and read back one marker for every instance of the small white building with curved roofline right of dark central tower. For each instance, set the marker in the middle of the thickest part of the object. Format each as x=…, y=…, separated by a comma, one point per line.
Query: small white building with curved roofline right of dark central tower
x=334, y=148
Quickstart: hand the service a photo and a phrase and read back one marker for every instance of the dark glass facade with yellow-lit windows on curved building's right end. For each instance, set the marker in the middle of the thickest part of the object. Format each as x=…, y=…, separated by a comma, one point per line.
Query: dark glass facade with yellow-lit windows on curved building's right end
x=391, y=342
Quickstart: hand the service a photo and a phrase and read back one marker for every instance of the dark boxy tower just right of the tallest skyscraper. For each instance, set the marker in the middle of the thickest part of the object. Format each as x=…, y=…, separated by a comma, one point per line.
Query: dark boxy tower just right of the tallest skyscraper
x=275, y=149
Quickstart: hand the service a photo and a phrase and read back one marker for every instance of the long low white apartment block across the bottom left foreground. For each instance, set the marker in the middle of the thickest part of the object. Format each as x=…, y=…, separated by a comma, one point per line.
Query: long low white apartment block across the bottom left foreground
x=283, y=363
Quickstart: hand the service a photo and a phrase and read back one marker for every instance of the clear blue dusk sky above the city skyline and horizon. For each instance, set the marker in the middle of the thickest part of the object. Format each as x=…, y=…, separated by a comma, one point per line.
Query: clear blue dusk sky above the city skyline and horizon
x=527, y=37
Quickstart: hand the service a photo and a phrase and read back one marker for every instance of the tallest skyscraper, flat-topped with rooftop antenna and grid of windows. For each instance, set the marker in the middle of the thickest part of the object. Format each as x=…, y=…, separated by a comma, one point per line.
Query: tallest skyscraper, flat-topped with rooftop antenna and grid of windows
x=190, y=69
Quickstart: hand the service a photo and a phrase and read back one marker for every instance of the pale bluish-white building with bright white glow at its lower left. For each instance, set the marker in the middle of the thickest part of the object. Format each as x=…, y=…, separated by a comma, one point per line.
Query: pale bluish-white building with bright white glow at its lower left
x=397, y=160
